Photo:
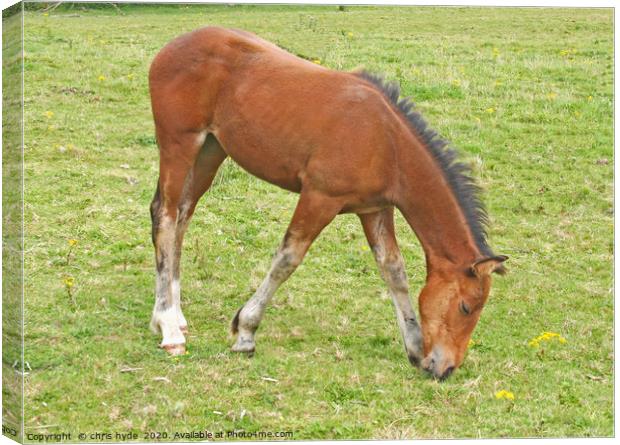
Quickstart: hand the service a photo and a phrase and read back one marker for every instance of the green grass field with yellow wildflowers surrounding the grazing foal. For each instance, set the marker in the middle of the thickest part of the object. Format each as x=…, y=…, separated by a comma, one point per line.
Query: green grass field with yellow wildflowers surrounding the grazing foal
x=527, y=95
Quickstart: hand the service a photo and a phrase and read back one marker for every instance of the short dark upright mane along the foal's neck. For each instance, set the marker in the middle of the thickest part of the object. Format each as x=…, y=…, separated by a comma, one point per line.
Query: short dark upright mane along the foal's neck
x=457, y=174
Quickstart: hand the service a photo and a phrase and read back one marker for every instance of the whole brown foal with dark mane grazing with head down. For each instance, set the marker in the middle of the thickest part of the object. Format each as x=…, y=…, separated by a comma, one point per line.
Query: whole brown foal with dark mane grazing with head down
x=346, y=143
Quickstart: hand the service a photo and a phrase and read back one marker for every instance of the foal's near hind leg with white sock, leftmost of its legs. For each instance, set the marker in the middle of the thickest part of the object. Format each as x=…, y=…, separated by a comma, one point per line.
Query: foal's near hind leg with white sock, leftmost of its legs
x=170, y=210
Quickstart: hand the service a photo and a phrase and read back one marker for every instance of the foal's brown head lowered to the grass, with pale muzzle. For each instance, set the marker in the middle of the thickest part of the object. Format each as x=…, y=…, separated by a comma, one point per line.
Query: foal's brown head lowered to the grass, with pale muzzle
x=450, y=306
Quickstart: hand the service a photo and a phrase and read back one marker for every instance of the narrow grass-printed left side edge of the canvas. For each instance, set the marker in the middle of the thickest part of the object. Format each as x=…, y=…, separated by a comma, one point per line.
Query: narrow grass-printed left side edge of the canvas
x=11, y=223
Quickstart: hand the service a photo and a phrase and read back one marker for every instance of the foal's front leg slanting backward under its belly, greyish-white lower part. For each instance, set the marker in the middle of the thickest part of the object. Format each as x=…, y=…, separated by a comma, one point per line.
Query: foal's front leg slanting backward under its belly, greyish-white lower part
x=313, y=212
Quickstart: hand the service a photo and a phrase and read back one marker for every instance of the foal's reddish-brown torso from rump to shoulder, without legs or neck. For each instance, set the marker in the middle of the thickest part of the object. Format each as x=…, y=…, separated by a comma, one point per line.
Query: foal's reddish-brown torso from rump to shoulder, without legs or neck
x=282, y=118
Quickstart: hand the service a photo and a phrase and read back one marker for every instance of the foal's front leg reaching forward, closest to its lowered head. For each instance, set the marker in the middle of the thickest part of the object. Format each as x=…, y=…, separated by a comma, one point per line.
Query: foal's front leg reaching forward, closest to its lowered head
x=379, y=230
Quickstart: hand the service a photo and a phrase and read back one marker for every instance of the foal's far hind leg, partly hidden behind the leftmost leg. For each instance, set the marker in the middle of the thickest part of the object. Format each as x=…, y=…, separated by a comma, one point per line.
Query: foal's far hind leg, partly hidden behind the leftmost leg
x=198, y=181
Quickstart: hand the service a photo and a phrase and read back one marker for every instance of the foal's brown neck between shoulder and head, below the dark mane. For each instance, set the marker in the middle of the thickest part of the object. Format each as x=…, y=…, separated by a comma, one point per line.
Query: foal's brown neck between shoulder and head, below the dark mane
x=433, y=212
